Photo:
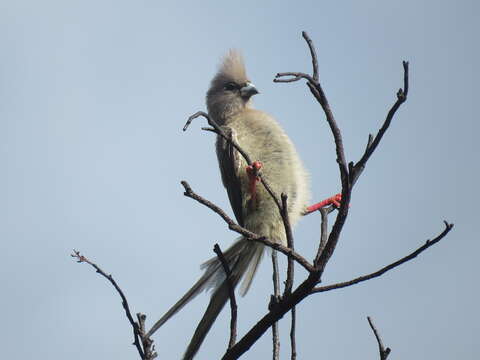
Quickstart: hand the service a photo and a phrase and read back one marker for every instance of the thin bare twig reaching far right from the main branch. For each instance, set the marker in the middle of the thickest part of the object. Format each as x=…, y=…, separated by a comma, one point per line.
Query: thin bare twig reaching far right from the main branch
x=389, y=267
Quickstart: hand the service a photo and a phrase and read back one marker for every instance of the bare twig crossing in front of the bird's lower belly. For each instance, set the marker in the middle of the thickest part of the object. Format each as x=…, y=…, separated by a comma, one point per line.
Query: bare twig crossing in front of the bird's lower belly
x=248, y=234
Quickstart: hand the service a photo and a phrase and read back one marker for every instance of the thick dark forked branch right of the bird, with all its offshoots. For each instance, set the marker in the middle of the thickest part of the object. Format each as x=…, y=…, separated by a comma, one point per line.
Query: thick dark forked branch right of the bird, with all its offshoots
x=349, y=174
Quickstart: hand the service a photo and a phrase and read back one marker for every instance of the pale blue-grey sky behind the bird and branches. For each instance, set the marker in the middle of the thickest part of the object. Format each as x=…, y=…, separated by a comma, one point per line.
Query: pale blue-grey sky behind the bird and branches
x=93, y=98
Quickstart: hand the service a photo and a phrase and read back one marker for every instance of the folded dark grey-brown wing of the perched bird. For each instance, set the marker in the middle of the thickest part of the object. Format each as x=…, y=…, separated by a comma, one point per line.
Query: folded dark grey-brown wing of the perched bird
x=230, y=163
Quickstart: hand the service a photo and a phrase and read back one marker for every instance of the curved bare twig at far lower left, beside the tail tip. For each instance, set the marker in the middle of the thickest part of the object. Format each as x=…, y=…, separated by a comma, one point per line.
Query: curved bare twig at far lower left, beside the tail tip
x=136, y=329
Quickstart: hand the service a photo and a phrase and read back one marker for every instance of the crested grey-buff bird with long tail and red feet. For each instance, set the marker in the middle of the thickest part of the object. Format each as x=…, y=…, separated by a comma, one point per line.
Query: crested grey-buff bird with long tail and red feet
x=229, y=104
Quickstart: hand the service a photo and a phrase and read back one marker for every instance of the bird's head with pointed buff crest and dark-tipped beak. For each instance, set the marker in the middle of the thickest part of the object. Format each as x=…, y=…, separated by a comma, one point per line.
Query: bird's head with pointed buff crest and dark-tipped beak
x=230, y=90
